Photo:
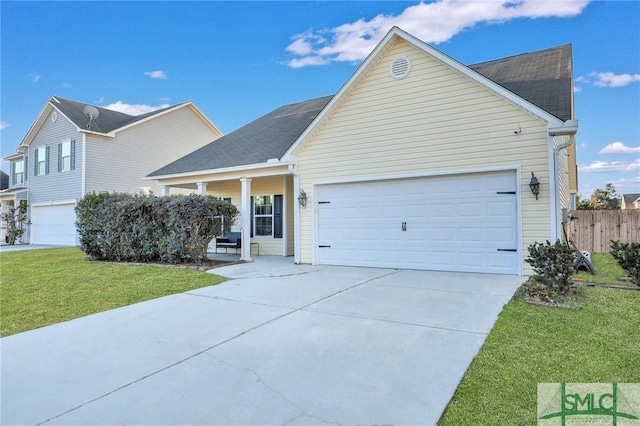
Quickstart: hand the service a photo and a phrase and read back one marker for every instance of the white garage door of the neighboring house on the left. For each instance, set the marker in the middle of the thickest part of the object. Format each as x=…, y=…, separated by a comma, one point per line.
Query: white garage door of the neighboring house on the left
x=53, y=225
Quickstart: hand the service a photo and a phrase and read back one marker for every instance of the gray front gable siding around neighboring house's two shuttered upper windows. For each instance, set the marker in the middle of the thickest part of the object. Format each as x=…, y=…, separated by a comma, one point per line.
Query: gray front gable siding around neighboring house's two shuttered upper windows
x=55, y=186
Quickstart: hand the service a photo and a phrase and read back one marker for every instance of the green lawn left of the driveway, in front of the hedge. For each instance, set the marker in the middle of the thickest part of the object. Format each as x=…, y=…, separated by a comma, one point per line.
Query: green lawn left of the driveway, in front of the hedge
x=42, y=287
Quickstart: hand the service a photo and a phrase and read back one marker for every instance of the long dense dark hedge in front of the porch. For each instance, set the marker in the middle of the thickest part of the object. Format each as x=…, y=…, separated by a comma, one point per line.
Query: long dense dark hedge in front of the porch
x=130, y=228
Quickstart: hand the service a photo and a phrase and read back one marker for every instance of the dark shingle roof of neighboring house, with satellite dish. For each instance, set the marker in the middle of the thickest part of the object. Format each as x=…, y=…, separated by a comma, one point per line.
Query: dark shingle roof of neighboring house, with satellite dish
x=106, y=121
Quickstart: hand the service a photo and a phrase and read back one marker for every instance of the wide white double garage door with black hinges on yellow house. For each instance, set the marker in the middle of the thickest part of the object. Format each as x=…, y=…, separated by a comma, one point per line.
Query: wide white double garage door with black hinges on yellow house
x=447, y=223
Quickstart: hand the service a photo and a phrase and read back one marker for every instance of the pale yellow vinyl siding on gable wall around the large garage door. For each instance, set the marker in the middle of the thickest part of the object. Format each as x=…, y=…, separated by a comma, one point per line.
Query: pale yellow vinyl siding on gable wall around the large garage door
x=432, y=121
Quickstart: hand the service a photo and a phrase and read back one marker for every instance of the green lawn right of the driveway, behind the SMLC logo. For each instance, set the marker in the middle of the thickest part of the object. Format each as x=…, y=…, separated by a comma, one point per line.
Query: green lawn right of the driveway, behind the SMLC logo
x=533, y=344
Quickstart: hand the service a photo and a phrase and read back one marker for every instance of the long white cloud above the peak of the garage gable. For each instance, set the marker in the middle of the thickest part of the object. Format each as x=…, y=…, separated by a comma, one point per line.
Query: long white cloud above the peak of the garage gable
x=434, y=22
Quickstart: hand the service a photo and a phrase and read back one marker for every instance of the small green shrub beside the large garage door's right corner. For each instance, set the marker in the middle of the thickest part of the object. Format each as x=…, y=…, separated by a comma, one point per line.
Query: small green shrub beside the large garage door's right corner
x=553, y=265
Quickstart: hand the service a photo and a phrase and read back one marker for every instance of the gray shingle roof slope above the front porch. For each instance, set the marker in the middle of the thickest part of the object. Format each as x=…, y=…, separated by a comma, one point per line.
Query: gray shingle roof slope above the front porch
x=264, y=138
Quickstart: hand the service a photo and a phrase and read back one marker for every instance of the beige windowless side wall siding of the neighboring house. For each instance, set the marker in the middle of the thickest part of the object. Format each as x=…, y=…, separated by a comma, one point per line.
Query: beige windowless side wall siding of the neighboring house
x=120, y=164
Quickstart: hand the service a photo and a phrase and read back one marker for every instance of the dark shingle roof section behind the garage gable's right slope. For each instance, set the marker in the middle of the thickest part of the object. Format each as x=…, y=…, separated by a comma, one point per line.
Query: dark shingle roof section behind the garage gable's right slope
x=543, y=78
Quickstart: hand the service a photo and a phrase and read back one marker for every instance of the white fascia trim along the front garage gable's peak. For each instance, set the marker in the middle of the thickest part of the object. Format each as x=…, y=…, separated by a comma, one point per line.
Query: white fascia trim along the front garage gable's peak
x=396, y=32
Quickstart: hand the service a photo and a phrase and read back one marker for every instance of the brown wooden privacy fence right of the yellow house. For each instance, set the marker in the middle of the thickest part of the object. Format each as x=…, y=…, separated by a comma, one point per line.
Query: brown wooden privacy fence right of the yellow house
x=593, y=230
